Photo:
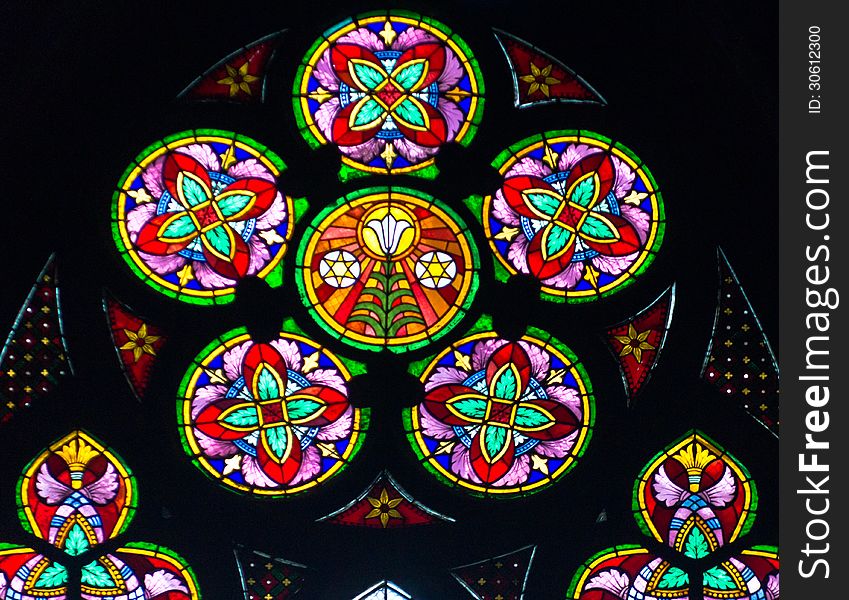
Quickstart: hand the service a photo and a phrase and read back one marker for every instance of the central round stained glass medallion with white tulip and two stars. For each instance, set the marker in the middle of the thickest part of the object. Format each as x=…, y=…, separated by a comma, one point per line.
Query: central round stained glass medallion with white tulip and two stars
x=387, y=268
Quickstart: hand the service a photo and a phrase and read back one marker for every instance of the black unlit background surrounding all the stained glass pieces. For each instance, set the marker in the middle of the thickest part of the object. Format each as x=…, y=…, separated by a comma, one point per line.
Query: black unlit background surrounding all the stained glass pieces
x=691, y=89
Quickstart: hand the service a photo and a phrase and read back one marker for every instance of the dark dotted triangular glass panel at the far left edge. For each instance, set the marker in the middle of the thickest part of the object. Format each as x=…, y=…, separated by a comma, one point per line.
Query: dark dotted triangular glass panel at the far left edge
x=35, y=356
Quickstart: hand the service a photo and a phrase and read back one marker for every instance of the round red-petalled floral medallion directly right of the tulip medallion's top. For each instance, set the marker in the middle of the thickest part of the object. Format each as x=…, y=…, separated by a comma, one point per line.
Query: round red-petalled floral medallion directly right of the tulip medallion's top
x=575, y=211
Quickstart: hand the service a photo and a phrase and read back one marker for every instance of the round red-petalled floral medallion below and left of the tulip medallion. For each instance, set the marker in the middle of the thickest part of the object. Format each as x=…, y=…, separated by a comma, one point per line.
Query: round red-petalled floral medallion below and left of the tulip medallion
x=270, y=419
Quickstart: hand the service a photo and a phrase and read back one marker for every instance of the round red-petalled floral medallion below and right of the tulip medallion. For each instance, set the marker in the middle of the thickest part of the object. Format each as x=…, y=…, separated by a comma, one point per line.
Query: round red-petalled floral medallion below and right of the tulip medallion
x=502, y=418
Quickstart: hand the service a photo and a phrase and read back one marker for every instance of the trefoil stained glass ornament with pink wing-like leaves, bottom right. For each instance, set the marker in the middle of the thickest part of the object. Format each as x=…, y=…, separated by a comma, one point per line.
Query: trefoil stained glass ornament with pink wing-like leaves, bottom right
x=695, y=499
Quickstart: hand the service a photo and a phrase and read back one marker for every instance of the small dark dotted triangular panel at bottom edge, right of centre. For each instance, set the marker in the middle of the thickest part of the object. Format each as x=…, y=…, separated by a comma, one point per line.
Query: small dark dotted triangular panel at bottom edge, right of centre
x=498, y=578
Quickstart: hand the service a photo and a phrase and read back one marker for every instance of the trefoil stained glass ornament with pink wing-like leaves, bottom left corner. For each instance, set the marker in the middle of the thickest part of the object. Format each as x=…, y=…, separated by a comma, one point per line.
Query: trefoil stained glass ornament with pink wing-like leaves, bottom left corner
x=78, y=495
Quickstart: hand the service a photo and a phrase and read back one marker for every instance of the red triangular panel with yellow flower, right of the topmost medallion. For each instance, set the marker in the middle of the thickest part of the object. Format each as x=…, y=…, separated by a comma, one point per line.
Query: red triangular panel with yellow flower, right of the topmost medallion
x=539, y=78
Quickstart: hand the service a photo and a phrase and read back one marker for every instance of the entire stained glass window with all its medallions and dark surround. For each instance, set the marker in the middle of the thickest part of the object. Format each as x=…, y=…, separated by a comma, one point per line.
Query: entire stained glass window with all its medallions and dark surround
x=290, y=355
